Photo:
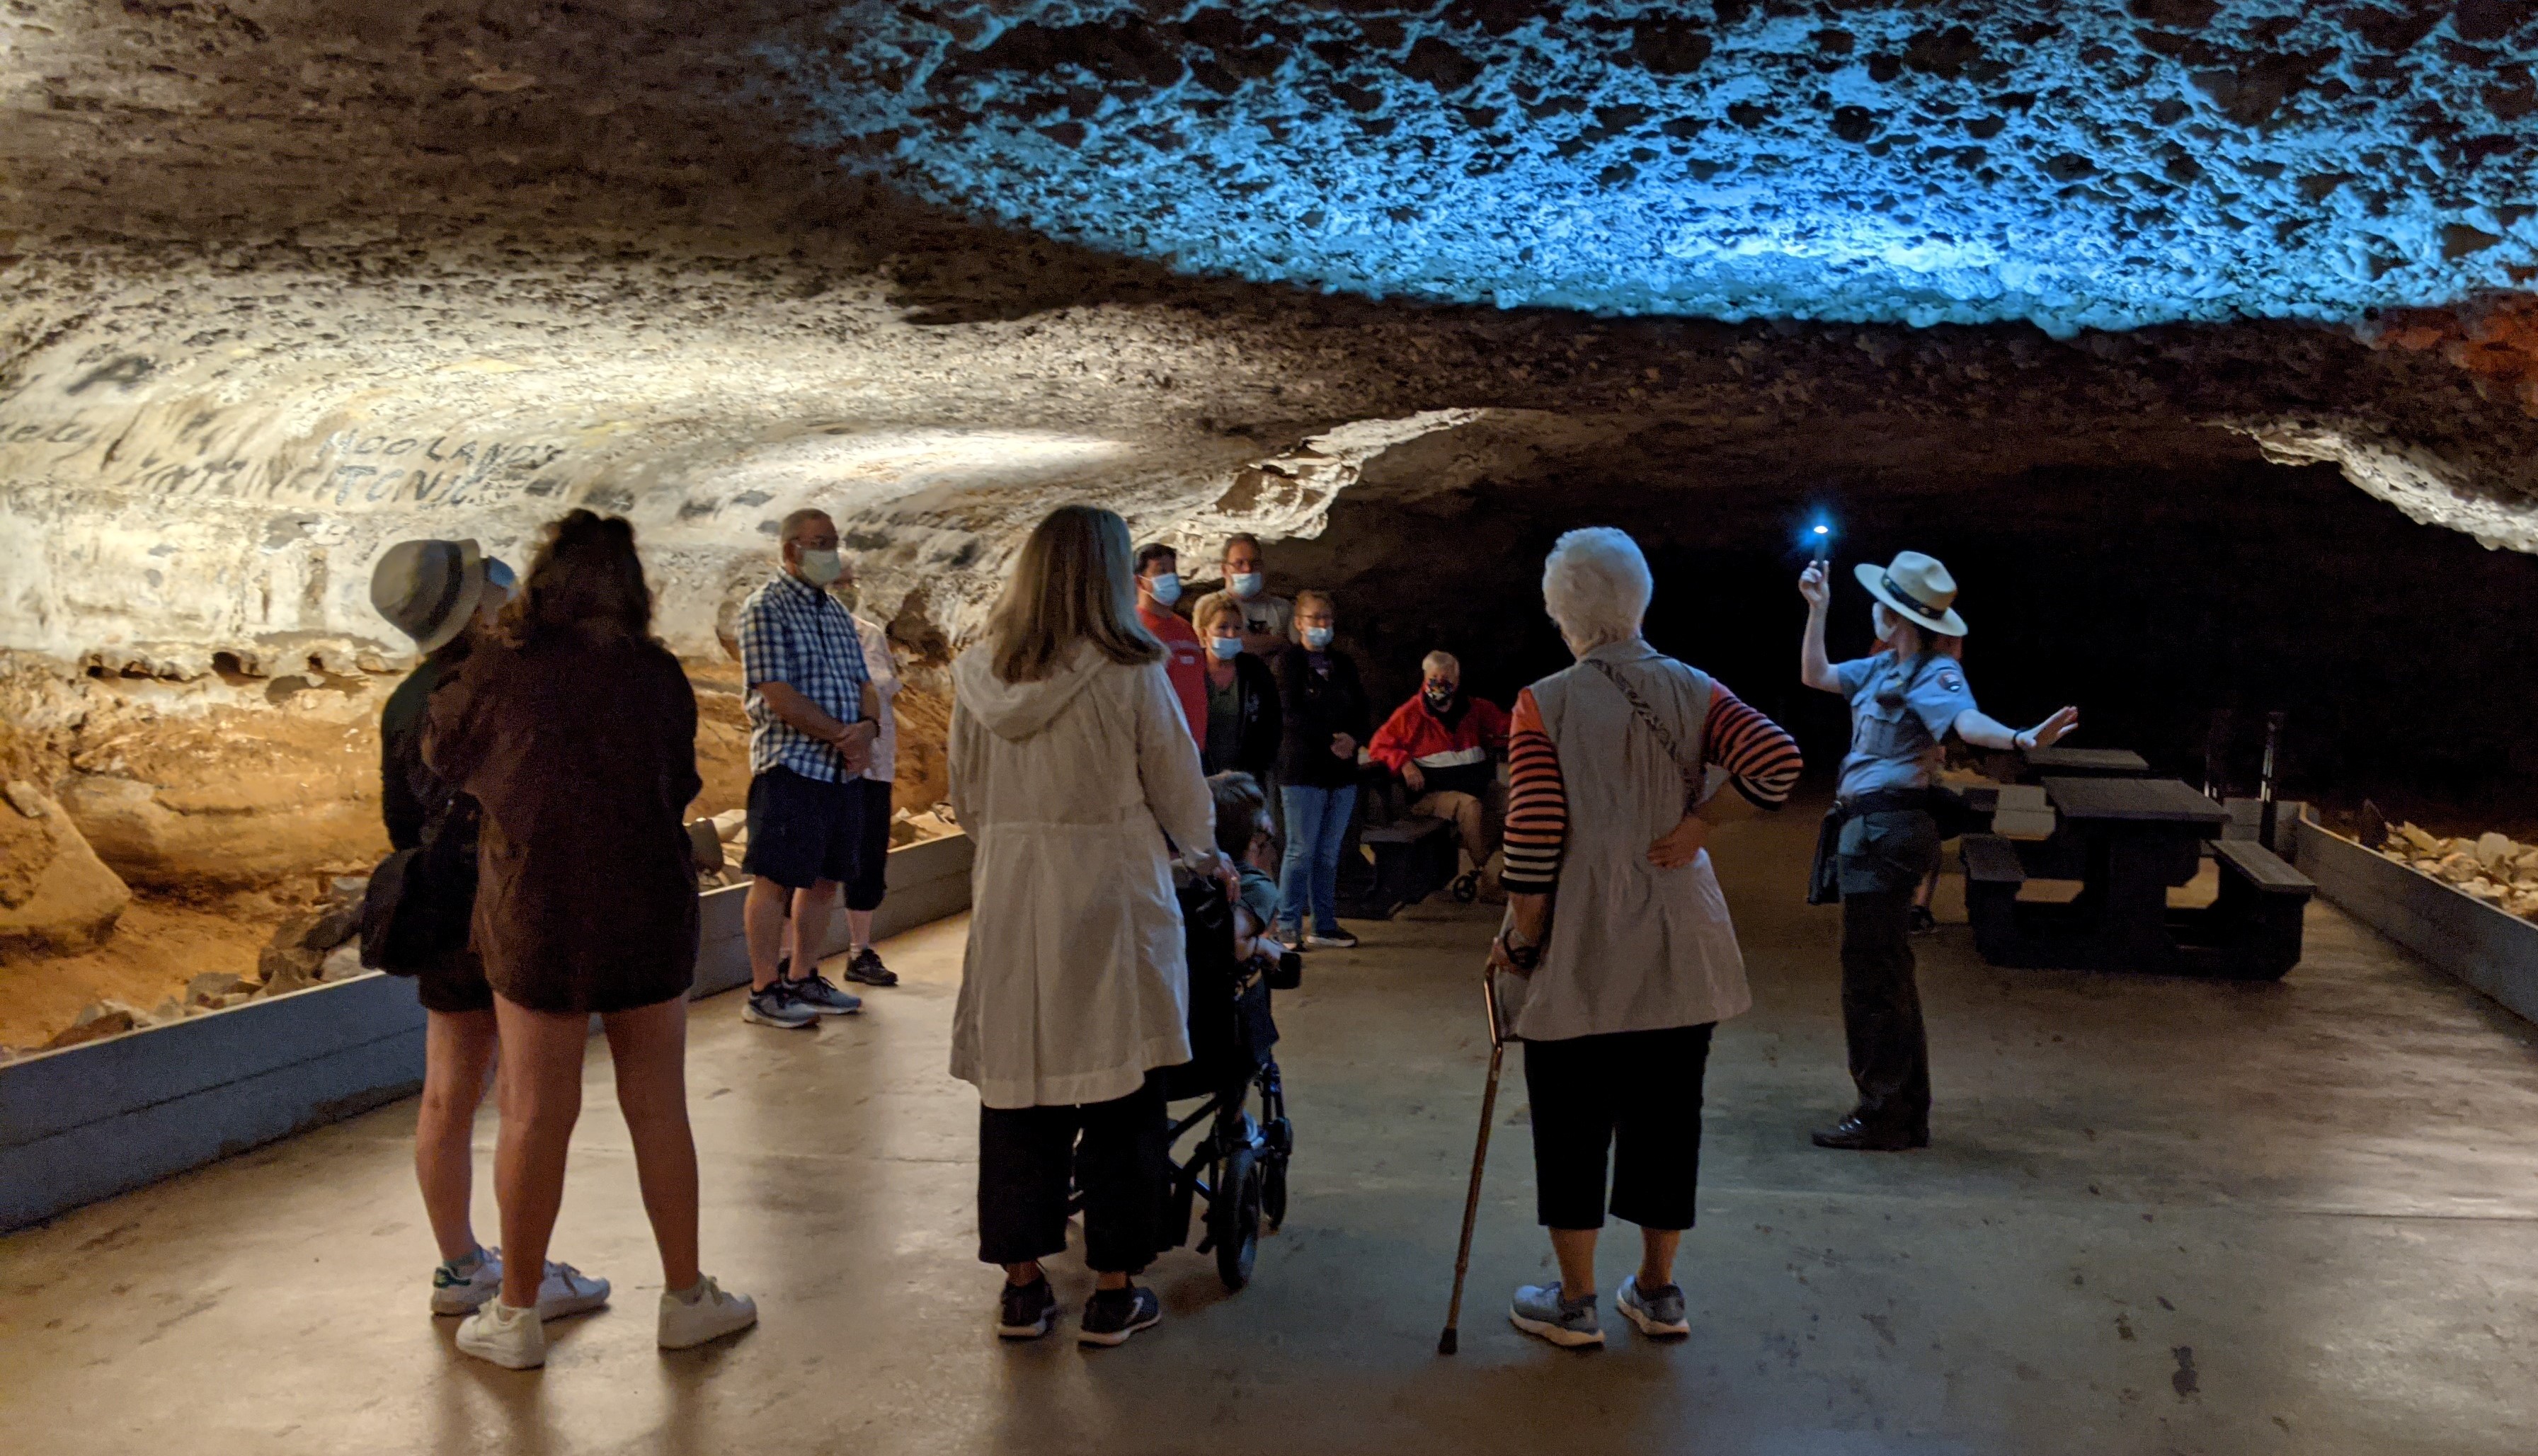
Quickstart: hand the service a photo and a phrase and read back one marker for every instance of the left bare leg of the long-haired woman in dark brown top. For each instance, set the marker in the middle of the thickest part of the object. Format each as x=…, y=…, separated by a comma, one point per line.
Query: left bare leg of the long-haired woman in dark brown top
x=542, y=1100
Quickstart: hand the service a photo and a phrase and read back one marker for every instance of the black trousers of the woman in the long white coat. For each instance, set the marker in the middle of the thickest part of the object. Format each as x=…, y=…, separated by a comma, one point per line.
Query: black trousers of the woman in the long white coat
x=1029, y=1158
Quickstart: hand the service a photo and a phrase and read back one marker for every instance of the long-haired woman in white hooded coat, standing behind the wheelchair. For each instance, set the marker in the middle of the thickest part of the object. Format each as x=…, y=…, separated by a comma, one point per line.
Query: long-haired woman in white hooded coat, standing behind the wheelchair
x=1075, y=775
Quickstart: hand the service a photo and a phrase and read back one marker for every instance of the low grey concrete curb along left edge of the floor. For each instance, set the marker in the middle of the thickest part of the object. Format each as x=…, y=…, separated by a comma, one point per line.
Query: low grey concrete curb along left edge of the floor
x=108, y=1117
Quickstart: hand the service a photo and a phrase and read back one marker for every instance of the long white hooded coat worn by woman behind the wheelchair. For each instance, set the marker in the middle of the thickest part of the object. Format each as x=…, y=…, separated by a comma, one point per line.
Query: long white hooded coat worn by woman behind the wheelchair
x=1077, y=980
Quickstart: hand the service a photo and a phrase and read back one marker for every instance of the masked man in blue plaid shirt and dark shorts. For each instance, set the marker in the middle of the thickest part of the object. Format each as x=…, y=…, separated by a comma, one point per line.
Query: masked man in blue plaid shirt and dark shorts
x=811, y=739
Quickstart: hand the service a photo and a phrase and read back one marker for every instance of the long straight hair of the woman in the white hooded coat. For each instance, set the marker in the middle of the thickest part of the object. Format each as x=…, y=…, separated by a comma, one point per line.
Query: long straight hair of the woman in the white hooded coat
x=1070, y=585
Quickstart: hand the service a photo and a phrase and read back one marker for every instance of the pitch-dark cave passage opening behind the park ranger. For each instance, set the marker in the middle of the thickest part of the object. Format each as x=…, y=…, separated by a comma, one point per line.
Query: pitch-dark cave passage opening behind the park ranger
x=2148, y=595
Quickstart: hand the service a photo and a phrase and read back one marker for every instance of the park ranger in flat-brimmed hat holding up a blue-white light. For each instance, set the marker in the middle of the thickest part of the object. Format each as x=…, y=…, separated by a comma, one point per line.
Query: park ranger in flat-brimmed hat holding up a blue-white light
x=1882, y=833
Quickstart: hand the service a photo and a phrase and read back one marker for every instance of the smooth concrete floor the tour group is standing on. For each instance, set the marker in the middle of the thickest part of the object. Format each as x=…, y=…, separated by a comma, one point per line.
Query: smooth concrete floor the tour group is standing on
x=2161, y=1216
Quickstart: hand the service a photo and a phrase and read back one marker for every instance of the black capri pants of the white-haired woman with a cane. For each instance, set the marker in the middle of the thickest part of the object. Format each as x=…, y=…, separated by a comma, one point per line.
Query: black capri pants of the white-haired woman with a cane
x=1636, y=1097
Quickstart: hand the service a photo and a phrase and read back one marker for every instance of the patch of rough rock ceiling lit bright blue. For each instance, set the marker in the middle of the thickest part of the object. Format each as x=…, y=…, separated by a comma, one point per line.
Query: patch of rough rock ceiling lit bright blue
x=2093, y=164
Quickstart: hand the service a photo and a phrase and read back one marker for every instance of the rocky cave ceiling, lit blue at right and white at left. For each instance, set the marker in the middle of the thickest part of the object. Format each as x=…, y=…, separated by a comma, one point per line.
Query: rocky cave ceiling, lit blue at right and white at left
x=283, y=283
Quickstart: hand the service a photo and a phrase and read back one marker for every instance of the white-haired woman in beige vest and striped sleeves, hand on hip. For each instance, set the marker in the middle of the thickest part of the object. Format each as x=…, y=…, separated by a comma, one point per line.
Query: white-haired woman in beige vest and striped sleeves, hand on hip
x=1618, y=955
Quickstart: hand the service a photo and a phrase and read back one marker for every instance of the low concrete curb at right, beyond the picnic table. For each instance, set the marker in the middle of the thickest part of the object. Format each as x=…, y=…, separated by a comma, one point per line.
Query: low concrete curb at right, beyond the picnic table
x=2476, y=942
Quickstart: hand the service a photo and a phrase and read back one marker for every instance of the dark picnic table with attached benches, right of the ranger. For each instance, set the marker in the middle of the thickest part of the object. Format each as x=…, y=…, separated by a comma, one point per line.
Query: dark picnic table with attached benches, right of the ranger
x=2128, y=843
